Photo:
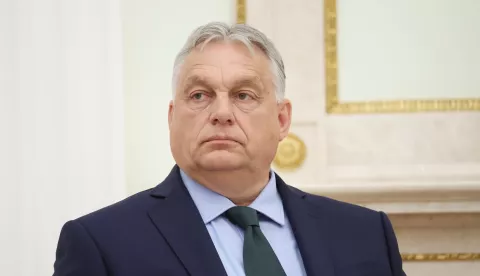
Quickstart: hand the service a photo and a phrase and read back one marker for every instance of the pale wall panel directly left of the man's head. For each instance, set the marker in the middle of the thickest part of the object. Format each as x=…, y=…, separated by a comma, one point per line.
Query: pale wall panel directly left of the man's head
x=154, y=33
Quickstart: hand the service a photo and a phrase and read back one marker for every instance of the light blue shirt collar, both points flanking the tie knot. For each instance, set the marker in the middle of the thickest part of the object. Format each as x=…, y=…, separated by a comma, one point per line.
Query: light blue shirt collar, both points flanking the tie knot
x=211, y=204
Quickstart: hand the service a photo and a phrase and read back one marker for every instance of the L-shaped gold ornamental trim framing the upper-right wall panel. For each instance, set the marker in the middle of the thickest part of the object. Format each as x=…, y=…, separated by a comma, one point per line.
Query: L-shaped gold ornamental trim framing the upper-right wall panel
x=333, y=105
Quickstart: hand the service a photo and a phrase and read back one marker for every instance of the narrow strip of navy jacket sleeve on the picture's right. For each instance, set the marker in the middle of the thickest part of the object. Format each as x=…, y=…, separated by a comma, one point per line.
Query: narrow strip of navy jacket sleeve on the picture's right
x=392, y=246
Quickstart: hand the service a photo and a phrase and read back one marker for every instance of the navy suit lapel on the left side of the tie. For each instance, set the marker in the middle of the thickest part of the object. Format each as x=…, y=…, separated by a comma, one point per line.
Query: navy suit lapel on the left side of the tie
x=178, y=220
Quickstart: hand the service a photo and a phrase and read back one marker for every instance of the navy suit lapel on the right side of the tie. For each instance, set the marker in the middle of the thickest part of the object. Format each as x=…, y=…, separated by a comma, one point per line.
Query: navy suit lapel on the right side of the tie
x=310, y=231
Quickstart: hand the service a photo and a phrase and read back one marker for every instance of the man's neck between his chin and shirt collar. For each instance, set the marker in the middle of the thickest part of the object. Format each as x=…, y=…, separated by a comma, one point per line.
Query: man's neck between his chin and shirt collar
x=241, y=187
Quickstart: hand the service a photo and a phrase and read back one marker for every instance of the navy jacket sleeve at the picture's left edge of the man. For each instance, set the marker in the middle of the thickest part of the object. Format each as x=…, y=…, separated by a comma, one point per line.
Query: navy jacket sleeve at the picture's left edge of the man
x=77, y=253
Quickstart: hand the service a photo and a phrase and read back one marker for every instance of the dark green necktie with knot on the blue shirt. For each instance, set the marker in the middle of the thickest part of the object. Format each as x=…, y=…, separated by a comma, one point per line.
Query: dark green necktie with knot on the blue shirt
x=259, y=259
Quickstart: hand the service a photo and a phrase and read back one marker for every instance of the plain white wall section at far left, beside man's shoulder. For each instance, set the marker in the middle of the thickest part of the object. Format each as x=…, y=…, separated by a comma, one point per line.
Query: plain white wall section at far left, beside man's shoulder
x=61, y=123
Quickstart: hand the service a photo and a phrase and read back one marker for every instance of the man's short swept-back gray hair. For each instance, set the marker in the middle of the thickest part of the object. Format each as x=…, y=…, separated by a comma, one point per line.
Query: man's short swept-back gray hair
x=249, y=36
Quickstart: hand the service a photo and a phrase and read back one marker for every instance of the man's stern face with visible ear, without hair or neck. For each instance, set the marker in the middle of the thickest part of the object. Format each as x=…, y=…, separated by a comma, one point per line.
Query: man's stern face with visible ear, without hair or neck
x=225, y=115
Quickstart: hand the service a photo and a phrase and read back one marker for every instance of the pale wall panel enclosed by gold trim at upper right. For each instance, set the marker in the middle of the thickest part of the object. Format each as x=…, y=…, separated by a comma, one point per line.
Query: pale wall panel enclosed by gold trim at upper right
x=421, y=49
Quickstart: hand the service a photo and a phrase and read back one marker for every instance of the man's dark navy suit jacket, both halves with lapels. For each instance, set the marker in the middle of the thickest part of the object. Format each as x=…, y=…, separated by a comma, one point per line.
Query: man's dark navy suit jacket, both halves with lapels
x=160, y=232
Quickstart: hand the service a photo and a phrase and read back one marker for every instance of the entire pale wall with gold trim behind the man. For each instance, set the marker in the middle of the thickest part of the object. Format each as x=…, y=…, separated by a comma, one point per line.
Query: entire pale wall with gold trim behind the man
x=386, y=97
